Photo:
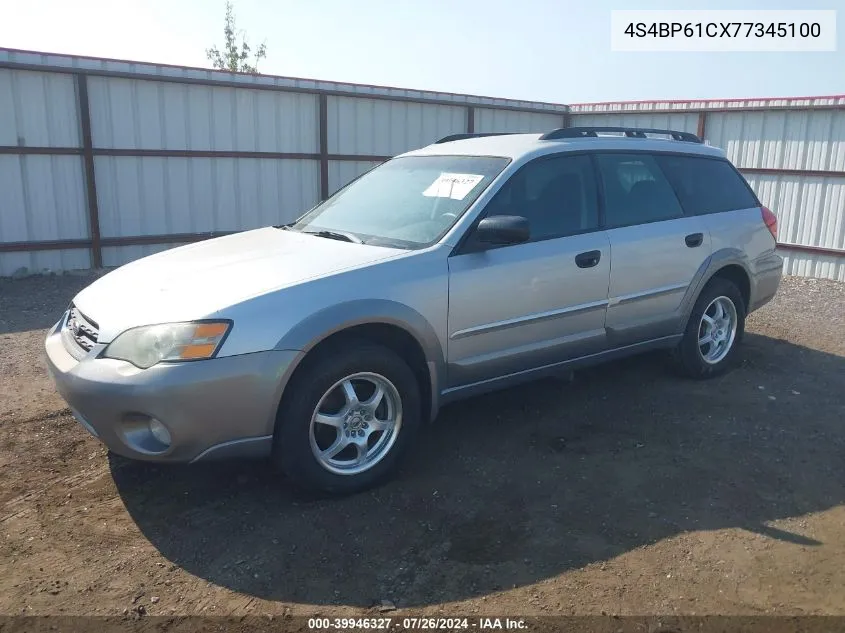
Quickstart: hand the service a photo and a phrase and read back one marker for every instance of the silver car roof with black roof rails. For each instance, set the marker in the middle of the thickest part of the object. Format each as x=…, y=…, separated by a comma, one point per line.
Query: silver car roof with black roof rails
x=519, y=146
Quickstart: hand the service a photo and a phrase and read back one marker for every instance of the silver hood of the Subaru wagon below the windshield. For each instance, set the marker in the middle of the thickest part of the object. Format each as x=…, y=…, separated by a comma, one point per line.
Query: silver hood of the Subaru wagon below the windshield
x=198, y=280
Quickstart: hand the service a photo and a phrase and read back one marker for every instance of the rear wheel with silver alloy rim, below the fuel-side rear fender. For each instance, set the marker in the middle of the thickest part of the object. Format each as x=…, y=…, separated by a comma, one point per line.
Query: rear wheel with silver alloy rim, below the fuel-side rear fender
x=711, y=359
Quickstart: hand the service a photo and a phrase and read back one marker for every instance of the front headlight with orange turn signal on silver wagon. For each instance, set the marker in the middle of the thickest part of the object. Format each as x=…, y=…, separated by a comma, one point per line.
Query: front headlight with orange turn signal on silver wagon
x=145, y=346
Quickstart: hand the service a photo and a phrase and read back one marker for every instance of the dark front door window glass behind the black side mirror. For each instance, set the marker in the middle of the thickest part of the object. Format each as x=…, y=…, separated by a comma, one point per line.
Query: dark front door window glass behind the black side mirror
x=556, y=195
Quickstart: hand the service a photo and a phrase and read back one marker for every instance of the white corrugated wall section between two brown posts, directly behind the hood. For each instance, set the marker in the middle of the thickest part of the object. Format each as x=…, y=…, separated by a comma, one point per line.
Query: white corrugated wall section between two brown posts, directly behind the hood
x=155, y=195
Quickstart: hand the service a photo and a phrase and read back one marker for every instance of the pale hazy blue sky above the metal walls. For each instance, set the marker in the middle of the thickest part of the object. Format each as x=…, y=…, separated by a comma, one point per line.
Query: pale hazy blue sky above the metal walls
x=539, y=50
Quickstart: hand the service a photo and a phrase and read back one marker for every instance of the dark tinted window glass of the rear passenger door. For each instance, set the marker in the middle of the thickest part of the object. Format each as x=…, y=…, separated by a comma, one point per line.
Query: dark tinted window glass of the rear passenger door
x=635, y=190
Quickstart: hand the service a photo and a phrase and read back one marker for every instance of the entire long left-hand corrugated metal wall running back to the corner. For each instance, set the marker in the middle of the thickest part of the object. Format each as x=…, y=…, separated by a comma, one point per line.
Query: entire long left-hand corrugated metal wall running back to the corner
x=188, y=151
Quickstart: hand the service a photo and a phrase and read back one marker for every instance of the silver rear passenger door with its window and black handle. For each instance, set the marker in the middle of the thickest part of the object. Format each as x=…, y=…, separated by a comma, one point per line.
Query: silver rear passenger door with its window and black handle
x=656, y=249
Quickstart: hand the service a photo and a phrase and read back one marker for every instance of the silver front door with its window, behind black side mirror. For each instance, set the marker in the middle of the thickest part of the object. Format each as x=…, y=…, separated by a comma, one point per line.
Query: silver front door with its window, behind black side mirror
x=524, y=306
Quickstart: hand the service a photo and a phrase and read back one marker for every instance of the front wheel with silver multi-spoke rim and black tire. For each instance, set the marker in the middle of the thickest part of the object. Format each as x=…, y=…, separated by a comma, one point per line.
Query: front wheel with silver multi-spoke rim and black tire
x=321, y=387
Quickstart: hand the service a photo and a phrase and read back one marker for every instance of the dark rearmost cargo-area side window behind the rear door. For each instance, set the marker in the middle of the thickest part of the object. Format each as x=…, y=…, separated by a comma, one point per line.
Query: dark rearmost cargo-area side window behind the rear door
x=706, y=185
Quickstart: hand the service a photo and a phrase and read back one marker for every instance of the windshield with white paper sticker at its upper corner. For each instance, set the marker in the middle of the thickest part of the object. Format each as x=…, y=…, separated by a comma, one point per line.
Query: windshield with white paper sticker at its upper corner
x=406, y=202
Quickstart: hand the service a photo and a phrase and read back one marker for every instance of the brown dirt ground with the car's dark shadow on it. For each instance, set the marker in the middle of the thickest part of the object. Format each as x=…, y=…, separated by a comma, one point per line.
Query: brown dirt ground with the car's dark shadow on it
x=626, y=491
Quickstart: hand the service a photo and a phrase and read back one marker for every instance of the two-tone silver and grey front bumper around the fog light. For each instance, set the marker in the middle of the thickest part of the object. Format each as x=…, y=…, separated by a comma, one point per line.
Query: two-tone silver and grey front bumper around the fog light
x=222, y=407
